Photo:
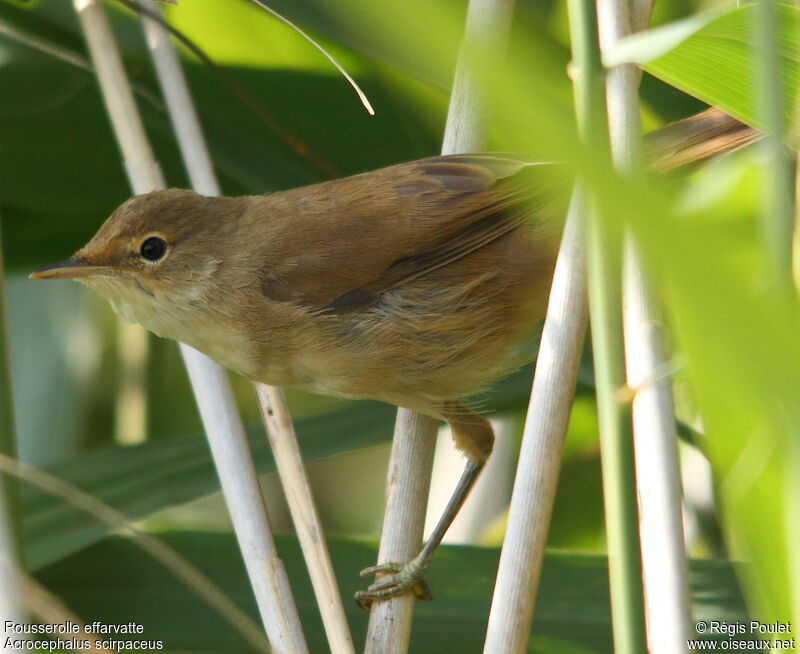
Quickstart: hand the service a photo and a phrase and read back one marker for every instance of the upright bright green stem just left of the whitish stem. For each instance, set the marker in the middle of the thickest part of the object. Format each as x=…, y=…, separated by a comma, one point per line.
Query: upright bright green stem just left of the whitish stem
x=605, y=293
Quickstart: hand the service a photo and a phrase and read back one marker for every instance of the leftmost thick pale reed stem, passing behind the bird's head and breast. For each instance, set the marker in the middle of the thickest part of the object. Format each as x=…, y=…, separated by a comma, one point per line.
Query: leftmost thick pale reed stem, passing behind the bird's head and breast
x=212, y=390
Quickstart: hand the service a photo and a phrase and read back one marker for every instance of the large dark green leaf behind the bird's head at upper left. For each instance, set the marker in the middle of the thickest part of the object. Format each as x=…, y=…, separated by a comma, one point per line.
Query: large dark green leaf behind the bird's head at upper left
x=61, y=170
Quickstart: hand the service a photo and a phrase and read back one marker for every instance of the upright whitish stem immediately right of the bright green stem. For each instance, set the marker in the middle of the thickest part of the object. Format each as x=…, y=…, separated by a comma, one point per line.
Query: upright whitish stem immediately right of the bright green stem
x=664, y=563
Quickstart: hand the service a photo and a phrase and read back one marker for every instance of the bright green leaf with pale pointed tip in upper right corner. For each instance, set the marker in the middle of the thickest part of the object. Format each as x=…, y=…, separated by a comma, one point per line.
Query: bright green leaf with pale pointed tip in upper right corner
x=710, y=56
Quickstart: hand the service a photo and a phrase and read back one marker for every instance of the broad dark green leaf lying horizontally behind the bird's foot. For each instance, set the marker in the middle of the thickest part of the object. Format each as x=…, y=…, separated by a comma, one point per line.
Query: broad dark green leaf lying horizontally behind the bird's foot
x=114, y=582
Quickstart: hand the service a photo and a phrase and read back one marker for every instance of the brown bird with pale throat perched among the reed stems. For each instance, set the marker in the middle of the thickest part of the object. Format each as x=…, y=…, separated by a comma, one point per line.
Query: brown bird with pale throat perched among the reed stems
x=416, y=284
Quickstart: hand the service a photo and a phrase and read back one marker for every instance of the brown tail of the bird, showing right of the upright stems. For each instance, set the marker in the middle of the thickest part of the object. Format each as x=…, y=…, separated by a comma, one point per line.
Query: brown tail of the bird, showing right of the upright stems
x=697, y=138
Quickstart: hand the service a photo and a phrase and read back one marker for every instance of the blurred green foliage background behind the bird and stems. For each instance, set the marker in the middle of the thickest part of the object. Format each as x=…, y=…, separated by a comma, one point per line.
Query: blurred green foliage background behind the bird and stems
x=127, y=430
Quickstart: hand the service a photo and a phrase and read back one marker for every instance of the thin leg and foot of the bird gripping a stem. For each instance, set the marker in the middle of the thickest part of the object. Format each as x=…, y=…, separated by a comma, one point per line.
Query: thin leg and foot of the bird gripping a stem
x=473, y=435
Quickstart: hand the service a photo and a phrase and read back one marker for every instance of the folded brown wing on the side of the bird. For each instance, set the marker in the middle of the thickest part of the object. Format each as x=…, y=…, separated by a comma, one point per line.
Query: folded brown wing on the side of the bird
x=350, y=240
